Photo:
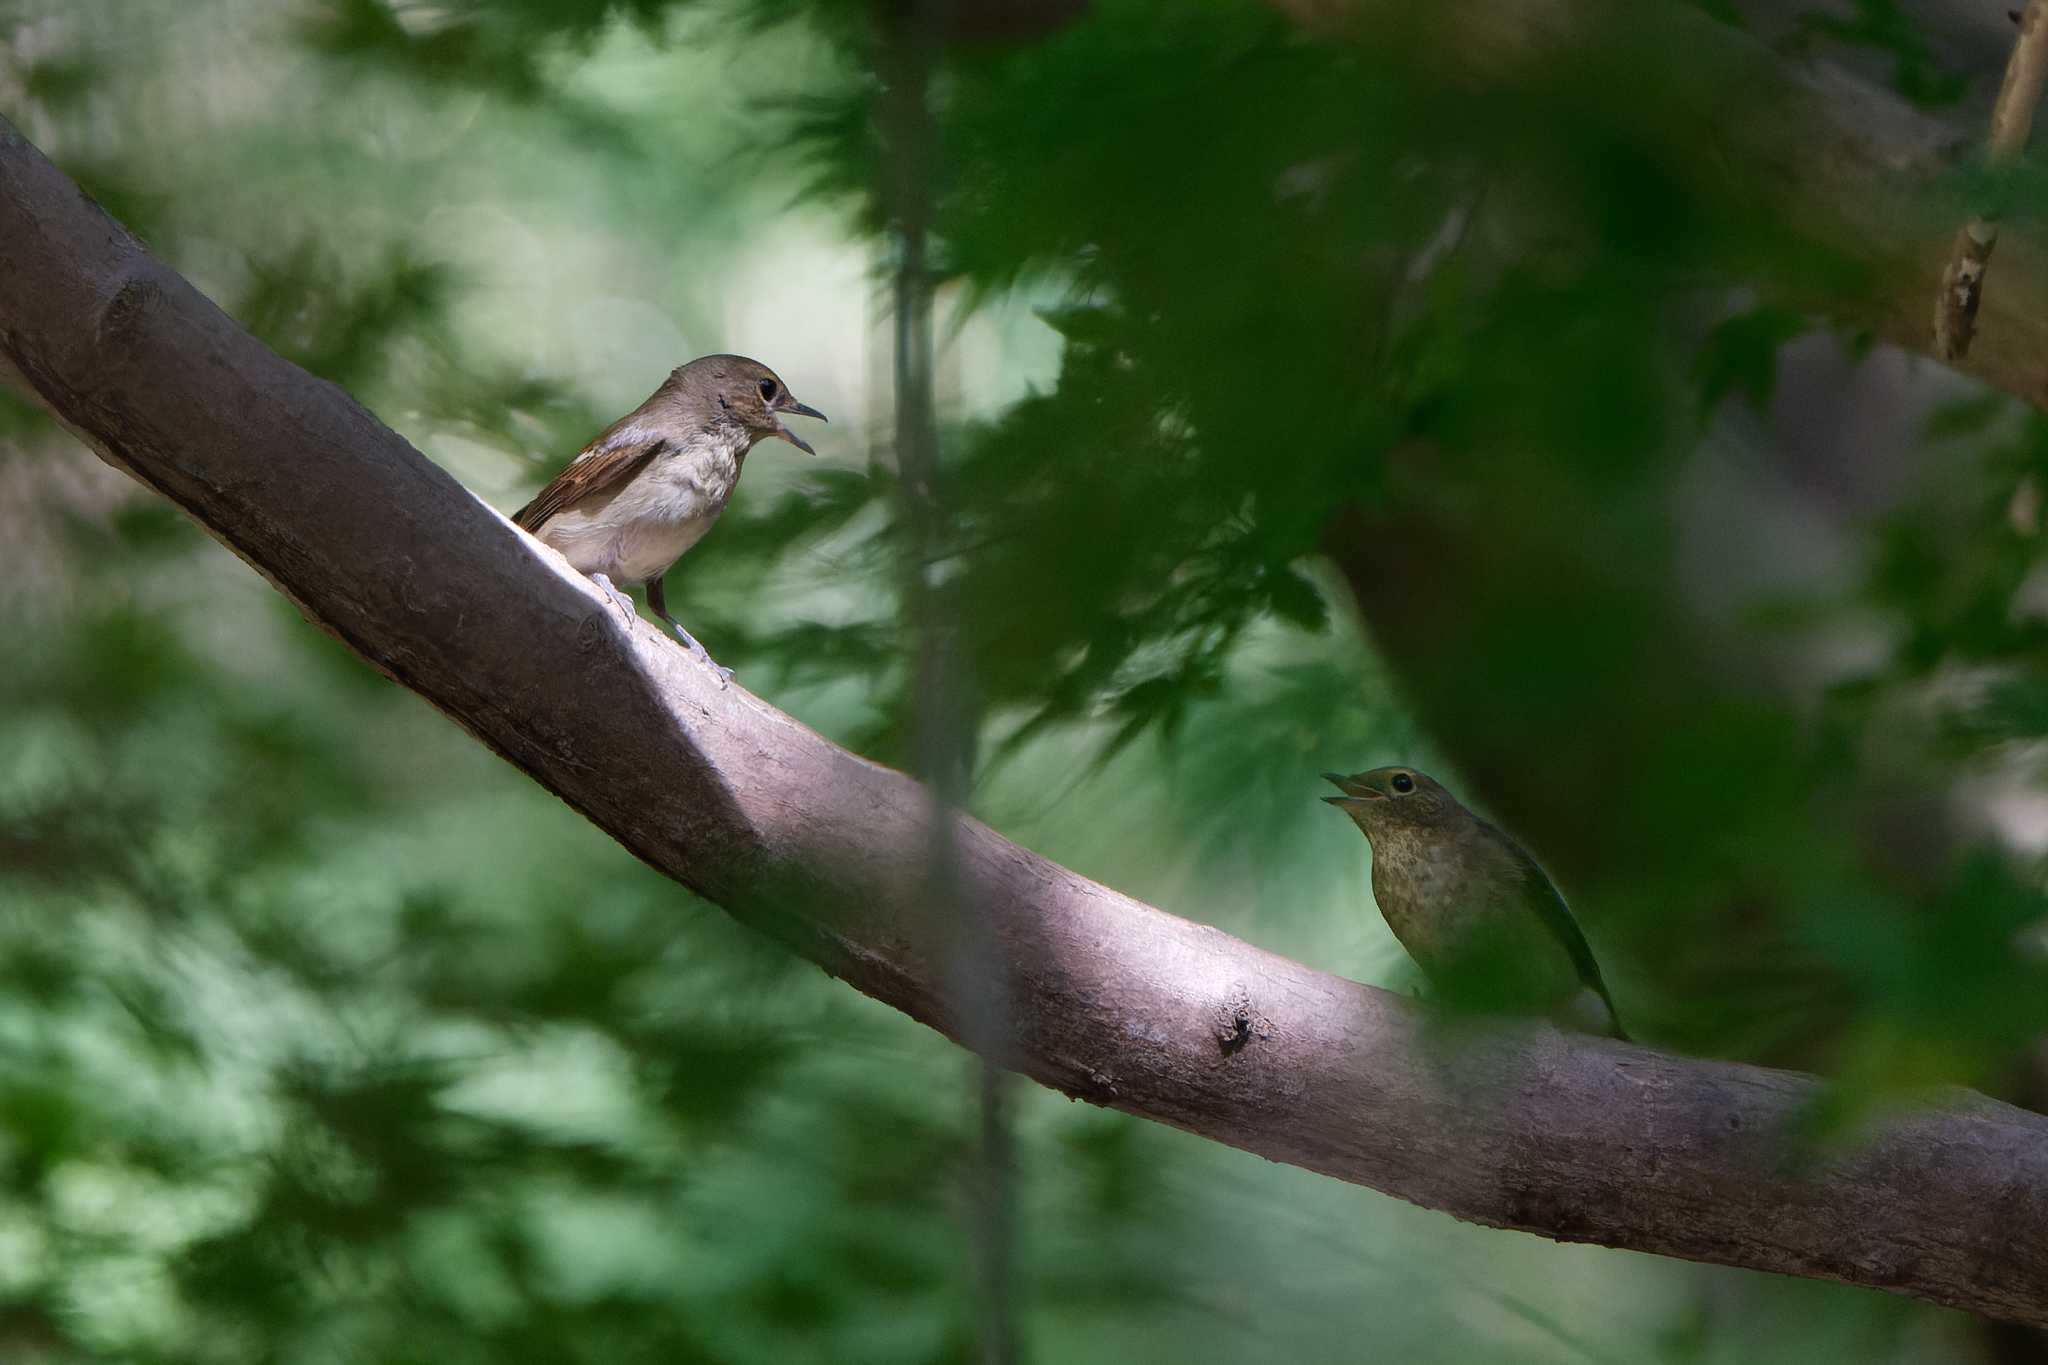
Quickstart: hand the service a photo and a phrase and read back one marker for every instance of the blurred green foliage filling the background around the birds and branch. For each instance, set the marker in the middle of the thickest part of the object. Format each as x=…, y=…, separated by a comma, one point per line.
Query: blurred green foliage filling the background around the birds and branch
x=1308, y=408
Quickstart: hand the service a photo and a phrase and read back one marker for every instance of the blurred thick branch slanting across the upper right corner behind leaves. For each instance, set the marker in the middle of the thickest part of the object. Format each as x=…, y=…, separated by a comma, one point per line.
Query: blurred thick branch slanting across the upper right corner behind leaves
x=1840, y=161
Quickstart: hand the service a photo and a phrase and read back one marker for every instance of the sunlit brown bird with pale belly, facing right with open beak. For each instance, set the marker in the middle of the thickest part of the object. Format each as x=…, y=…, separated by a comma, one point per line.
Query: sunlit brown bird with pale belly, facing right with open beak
x=650, y=488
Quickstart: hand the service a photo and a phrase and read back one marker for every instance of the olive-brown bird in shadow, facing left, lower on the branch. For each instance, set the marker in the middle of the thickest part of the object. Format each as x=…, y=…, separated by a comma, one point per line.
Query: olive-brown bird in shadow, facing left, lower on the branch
x=1471, y=908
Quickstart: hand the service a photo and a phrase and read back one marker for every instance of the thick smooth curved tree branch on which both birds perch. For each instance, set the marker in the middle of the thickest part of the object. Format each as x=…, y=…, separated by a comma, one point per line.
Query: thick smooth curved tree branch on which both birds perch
x=1576, y=1139
